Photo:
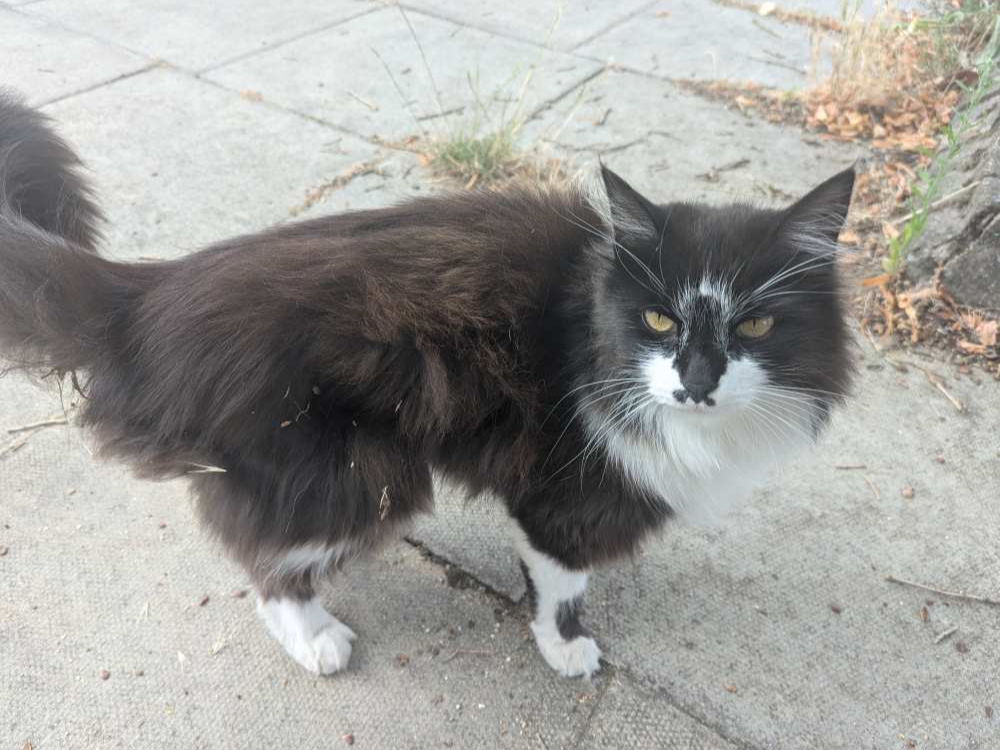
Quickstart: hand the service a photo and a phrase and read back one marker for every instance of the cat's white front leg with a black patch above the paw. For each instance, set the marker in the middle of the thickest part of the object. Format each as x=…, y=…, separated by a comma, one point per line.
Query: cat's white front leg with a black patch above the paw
x=556, y=593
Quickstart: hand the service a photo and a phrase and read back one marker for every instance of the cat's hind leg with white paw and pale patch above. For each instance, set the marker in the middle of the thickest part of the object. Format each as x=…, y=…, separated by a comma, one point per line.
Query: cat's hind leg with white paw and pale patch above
x=288, y=605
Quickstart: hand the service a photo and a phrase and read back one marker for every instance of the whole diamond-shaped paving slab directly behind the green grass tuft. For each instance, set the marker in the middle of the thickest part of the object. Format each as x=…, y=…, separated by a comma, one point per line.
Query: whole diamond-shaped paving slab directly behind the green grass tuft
x=341, y=76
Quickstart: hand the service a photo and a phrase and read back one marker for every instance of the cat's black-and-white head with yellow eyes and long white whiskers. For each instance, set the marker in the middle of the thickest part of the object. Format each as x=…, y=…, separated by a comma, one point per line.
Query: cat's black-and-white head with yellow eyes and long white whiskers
x=716, y=315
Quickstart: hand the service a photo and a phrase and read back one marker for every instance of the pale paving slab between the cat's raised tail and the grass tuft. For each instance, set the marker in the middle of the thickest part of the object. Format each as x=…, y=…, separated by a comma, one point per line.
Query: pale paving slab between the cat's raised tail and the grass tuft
x=179, y=162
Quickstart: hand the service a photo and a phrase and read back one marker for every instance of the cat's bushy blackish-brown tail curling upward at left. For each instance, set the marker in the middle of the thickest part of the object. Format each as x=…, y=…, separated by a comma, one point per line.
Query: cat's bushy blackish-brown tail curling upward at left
x=57, y=295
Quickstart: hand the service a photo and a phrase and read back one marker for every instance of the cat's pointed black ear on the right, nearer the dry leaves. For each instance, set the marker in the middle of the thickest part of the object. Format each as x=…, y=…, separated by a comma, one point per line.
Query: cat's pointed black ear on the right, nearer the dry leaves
x=814, y=223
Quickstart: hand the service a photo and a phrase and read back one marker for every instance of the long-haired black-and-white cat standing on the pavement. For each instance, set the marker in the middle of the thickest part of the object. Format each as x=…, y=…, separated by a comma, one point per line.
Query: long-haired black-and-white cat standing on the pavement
x=596, y=361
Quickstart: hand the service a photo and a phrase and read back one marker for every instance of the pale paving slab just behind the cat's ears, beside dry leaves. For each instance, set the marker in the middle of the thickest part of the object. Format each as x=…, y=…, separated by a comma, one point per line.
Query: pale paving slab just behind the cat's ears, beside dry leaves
x=679, y=146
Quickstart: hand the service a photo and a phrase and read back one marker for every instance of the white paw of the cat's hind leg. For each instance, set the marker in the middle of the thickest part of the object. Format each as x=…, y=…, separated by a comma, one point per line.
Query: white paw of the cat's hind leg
x=312, y=636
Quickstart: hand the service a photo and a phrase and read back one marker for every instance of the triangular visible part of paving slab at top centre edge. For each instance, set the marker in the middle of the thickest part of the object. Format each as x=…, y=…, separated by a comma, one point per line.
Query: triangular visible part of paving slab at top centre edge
x=552, y=23
